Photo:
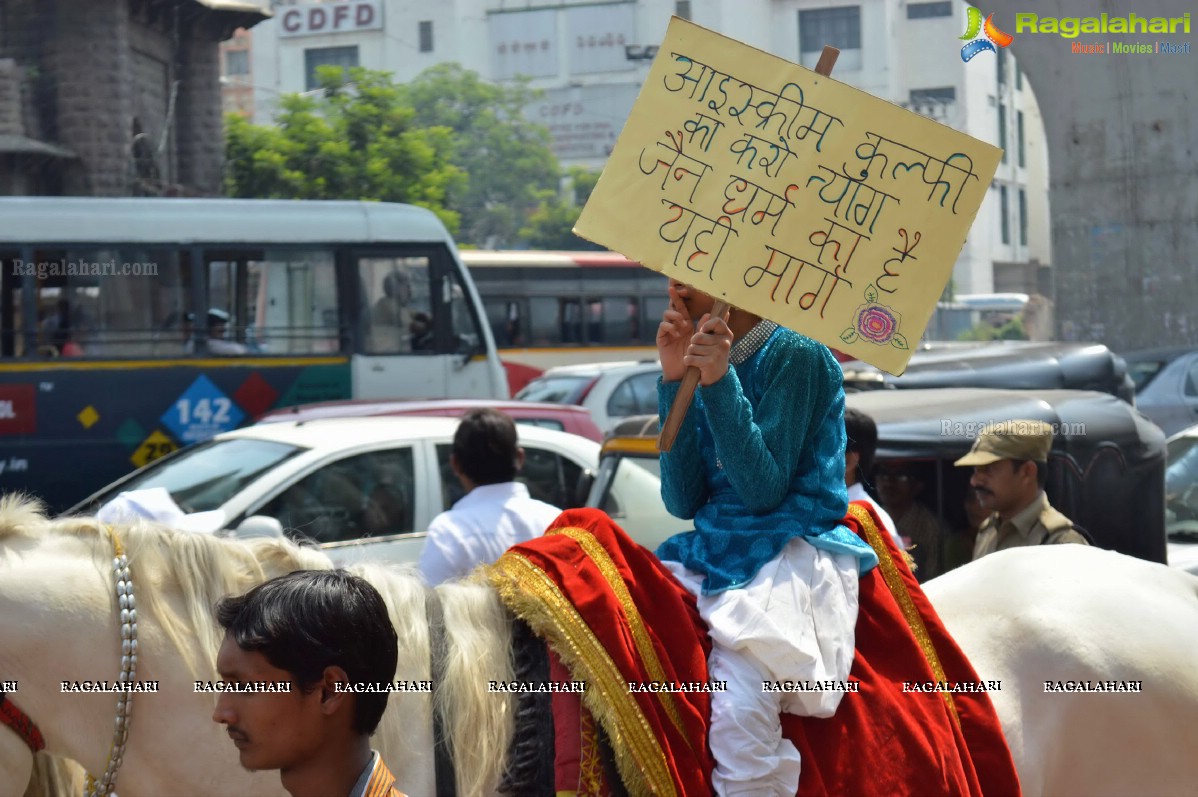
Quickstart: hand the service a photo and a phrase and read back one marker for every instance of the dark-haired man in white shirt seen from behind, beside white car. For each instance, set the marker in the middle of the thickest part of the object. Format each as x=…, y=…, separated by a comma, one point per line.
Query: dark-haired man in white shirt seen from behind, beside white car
x=497, y=511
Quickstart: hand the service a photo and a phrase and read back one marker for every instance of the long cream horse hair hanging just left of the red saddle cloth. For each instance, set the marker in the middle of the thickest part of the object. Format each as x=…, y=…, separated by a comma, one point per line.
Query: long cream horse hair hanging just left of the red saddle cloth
x=479, y=635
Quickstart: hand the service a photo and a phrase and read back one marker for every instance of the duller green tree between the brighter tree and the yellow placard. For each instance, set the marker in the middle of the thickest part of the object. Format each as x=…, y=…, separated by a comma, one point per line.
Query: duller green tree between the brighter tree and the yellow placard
x=507, y=160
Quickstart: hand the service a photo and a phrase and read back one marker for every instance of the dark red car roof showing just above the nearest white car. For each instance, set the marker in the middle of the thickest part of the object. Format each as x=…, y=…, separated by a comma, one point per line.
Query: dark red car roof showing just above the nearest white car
x=564, y=418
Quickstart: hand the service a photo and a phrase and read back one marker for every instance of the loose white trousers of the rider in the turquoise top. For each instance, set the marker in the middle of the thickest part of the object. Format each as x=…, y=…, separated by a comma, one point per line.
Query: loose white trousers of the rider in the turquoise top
x=796, y=620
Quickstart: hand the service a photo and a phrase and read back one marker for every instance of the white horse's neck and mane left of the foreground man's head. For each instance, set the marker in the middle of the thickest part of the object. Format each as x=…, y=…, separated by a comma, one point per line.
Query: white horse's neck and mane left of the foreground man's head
x=60, y=623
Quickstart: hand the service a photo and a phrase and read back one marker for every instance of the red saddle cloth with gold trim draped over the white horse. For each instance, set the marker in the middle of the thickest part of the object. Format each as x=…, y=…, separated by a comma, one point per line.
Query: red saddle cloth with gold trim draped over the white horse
x=614, y=617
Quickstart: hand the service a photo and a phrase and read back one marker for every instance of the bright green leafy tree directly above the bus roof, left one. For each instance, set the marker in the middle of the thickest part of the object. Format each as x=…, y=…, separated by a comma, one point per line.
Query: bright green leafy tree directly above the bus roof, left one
x=349, y=141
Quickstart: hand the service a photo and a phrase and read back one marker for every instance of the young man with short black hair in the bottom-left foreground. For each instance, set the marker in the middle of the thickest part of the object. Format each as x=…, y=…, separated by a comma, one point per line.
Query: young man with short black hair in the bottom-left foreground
x=319, y=633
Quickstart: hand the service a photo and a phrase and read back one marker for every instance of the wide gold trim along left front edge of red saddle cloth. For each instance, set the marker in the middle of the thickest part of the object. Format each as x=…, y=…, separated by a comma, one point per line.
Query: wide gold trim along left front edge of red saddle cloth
x=534, y=597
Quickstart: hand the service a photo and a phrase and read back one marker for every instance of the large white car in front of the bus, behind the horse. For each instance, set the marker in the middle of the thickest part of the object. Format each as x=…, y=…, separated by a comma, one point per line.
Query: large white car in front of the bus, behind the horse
x=362, y=488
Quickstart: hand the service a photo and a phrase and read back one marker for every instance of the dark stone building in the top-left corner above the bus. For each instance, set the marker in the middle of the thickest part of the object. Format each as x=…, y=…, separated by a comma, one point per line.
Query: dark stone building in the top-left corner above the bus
x=112, y=99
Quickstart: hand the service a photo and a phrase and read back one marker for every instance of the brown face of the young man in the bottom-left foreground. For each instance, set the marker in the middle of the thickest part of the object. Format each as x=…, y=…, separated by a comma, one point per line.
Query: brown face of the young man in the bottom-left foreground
x=271, y=730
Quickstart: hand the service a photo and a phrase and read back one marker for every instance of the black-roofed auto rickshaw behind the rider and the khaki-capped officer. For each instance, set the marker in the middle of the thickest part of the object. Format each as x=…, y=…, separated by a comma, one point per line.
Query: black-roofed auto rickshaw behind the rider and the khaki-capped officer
x=1106, y=470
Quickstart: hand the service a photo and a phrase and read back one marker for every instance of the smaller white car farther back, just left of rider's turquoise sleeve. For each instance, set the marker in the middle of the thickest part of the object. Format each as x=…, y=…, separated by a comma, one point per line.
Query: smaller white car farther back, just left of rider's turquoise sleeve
x=613, y=391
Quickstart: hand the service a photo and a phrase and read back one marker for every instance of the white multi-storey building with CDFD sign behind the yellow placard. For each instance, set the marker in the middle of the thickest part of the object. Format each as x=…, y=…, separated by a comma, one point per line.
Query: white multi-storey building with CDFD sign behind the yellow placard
x=590, y=59
